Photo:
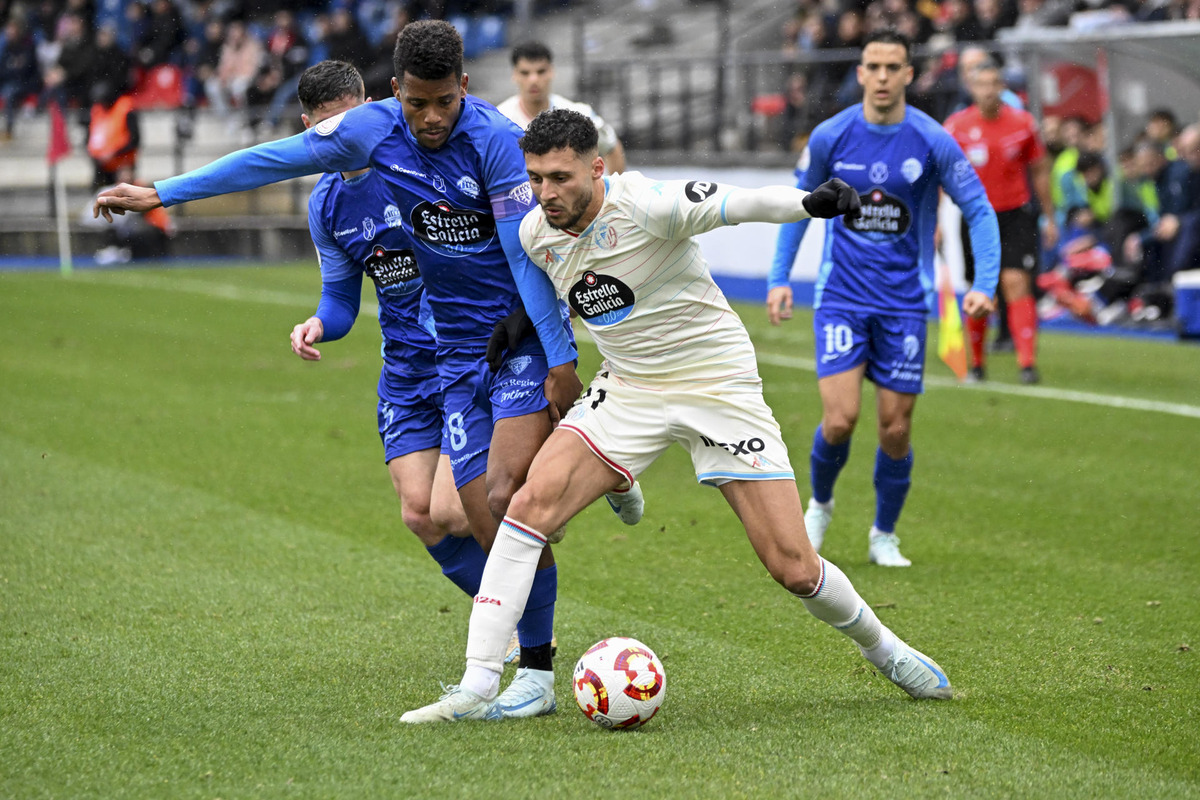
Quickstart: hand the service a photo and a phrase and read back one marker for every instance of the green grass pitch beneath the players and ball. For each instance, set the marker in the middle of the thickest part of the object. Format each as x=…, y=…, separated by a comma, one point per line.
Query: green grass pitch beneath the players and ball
x=206, y=590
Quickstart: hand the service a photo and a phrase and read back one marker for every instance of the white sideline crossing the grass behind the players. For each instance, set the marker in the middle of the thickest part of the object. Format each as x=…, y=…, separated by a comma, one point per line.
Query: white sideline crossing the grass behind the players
x=231, y=292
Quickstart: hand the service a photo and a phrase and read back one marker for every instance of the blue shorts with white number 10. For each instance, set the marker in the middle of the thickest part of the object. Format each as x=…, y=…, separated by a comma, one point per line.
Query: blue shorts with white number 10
x=892, y=347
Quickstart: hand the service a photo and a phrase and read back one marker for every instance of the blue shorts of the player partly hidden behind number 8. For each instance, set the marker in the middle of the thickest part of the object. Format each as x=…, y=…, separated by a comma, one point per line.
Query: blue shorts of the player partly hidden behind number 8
x=410, y=414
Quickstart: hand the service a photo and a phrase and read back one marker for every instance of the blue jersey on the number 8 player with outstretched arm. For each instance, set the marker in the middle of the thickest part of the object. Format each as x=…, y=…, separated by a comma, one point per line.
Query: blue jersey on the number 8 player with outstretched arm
x=448, y=201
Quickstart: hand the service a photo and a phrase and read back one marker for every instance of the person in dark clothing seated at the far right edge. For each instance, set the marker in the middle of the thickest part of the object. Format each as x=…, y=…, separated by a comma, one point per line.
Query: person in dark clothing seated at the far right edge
x=1173, y=243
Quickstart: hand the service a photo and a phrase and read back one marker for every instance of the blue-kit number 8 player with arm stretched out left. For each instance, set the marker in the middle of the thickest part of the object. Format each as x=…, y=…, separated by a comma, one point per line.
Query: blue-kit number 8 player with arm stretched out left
x=459, y=187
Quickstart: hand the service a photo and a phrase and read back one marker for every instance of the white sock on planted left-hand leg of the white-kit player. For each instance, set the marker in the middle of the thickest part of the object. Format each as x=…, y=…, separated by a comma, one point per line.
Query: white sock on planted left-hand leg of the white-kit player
x=503, y=593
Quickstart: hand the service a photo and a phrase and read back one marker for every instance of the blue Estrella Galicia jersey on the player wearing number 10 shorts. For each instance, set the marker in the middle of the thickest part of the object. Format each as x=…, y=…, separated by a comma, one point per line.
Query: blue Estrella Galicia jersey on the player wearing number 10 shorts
x=884, y=261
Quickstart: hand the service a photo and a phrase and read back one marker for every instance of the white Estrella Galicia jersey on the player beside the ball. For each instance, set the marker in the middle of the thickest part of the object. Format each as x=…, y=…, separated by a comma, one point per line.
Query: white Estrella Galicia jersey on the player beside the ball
x=640, y=285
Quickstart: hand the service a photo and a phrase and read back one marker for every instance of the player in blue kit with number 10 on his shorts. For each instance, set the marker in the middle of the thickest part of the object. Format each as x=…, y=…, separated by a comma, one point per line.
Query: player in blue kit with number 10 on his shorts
x=875, y=285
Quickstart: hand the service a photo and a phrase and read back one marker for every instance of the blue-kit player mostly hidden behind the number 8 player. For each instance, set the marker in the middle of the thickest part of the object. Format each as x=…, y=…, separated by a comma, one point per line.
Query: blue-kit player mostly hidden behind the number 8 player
x=352, y=243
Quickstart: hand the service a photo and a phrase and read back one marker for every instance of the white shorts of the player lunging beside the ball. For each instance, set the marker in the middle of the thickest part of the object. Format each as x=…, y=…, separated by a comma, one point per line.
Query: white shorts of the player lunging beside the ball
x=730, y=431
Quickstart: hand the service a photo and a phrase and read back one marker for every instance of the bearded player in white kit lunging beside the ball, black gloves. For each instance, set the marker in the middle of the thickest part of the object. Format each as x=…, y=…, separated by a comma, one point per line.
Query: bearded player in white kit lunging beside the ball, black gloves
x=680, y=368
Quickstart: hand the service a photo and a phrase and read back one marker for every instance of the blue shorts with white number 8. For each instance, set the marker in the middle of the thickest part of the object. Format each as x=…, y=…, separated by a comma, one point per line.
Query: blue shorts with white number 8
x=476, y=399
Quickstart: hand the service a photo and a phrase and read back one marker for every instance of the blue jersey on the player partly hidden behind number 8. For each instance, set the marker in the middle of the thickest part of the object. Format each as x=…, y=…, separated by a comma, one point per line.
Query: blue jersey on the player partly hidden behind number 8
x=349, y=222
